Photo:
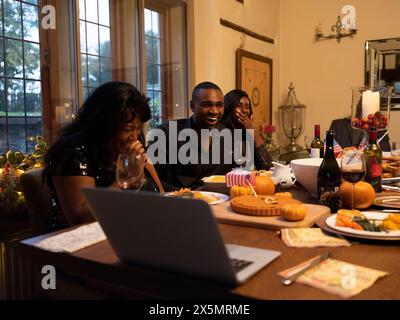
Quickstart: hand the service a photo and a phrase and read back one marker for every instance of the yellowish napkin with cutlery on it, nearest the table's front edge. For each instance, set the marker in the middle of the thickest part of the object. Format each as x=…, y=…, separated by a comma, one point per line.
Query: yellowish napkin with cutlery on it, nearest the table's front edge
x=336, y=277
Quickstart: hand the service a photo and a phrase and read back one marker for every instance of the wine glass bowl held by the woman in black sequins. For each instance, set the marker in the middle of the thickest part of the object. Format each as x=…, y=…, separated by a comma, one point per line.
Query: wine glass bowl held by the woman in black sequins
x=130, y=171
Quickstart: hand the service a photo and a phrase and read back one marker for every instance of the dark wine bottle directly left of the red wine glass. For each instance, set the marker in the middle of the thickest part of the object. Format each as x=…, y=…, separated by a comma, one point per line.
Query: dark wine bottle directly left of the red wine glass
x=329, y=178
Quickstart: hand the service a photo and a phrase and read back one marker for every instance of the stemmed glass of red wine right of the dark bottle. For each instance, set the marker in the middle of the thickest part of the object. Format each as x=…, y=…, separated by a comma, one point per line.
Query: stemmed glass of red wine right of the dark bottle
x=353, y=168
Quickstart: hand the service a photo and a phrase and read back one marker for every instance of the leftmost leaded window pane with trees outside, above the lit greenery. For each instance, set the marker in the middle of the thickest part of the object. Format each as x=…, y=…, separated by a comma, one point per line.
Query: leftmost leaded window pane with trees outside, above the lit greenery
x=21, y=107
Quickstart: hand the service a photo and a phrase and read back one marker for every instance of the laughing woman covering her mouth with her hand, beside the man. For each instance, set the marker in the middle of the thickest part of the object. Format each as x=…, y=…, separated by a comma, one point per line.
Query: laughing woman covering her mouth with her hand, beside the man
x=238, y=114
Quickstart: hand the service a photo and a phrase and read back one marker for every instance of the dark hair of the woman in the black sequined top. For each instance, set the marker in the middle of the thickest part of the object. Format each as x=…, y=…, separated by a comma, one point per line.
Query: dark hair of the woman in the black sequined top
x=100, y=117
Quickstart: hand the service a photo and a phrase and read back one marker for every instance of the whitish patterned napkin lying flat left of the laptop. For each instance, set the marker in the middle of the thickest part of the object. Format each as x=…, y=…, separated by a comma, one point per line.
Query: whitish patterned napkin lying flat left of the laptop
x=73, y=240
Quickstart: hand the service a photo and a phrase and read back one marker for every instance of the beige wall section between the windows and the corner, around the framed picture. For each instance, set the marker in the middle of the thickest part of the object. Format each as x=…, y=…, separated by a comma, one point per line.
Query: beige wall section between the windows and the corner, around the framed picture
x=212, y=47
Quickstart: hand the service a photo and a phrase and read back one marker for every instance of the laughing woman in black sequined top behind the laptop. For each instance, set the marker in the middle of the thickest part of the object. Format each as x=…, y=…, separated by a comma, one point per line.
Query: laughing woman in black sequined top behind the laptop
x=85, y=153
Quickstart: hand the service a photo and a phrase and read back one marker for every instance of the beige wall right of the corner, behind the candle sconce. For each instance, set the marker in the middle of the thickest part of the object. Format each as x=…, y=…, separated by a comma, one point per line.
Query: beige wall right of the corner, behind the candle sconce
x=324, y=71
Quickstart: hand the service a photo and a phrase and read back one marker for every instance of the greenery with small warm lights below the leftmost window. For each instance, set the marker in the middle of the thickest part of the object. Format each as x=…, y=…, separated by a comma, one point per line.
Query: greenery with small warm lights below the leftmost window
x=12, y=165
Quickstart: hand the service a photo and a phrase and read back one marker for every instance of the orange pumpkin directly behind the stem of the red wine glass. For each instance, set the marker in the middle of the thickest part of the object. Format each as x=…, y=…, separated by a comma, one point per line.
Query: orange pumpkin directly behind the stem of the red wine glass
x=364, y=194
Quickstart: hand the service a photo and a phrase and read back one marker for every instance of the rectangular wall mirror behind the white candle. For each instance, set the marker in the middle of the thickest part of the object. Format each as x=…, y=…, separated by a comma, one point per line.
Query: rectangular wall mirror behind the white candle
x=382, y=66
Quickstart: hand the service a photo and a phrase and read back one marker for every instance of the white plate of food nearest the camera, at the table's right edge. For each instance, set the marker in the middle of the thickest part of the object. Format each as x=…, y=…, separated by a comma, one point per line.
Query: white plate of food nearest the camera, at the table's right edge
x=331, y=222
